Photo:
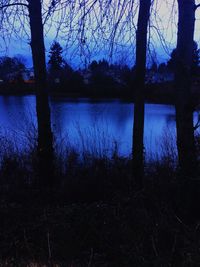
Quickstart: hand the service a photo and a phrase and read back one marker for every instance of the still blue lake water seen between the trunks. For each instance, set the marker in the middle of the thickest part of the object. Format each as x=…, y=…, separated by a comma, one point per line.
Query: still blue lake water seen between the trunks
x=89, y=125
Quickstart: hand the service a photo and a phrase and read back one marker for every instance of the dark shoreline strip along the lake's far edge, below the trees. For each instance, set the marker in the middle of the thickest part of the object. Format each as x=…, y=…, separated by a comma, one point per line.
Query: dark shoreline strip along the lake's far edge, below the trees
x=154, y=94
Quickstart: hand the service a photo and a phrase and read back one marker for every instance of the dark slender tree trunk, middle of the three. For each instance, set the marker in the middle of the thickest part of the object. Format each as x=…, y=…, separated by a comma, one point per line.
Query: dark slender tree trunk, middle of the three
x=138, y=128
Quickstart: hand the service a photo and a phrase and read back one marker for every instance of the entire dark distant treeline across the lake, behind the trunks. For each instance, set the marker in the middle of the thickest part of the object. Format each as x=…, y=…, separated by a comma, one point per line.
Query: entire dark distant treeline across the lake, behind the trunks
x=98, y=79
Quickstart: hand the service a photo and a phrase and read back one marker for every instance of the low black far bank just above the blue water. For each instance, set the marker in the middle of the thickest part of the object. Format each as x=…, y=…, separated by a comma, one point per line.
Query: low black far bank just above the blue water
x=156, y=93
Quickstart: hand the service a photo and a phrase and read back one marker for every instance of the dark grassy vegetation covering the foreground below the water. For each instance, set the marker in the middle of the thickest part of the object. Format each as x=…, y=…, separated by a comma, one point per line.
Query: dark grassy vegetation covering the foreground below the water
x=93, y=216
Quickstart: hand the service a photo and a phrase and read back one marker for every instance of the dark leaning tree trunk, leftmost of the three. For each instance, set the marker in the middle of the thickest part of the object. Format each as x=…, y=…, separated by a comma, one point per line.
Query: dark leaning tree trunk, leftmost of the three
x=45, y=139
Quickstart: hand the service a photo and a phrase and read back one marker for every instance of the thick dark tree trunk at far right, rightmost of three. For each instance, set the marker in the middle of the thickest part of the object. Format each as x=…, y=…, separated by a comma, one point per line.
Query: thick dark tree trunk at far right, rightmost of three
x=184, y=109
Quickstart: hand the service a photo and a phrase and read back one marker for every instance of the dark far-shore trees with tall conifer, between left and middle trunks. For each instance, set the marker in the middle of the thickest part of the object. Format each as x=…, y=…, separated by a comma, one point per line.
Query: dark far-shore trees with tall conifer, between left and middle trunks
x=99, y=78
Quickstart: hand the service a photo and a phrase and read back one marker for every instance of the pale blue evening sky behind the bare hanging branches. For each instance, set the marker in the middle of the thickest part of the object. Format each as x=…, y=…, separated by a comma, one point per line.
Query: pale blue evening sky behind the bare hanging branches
x=94, y=47
